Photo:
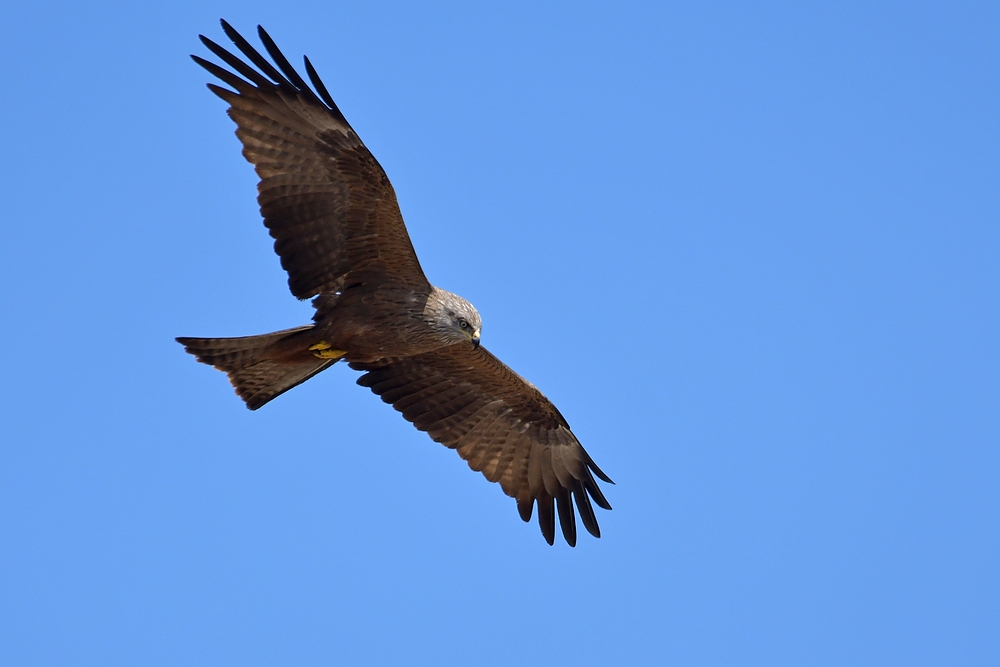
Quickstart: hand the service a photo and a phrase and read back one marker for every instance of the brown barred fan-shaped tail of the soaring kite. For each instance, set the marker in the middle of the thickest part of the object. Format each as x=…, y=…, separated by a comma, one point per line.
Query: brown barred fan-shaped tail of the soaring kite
x=256, y=370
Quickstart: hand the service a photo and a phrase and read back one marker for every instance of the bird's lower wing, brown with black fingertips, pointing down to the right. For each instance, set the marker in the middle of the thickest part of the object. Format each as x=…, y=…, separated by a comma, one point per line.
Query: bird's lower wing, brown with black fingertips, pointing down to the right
x=467, y=399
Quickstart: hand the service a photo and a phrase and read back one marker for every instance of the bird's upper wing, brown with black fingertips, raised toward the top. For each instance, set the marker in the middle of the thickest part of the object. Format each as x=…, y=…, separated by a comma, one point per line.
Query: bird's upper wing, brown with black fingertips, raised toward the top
x=325, y=199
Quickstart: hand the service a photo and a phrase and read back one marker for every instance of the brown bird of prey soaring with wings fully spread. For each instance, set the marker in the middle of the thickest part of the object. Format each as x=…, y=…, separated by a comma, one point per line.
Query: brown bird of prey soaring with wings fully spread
x=340, y=235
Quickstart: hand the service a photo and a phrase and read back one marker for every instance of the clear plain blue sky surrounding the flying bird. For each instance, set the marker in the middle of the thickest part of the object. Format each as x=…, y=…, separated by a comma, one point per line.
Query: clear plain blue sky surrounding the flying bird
x=751, y=251
